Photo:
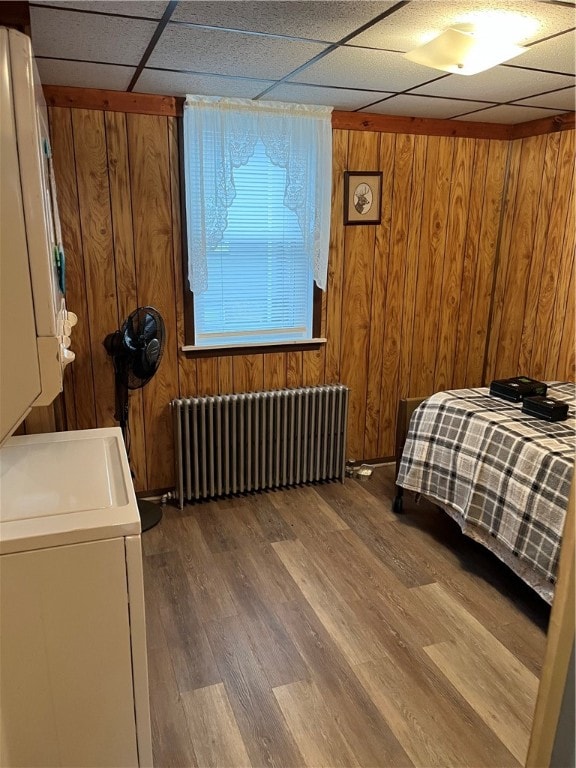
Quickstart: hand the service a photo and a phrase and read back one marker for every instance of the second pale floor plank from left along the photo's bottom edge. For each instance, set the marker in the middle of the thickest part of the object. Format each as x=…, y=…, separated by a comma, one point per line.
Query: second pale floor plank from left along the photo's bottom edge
x=313, y=726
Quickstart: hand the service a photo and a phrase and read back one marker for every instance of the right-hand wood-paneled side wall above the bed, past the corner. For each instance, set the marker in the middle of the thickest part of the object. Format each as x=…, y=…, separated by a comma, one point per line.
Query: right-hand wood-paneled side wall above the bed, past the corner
x=534, y=293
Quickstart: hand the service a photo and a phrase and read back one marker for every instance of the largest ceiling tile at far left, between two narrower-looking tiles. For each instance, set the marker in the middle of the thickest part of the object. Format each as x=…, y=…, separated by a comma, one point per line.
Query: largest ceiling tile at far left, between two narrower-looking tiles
x=87, y=36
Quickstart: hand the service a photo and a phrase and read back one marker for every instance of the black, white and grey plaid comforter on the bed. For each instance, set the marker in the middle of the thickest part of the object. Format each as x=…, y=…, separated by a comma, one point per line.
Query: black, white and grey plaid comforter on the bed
x=500, y=469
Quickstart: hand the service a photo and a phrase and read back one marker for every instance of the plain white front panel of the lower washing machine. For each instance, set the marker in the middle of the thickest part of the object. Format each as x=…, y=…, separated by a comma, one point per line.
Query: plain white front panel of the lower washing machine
x=65, y=658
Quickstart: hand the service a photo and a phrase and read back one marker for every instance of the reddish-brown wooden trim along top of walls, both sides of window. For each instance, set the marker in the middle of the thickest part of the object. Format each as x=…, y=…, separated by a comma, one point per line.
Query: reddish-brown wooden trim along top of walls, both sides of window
x=171, y=106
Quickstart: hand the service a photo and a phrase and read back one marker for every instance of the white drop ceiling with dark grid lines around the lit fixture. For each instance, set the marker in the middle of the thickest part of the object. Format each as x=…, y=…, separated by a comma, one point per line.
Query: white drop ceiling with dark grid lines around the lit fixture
x=348, y=55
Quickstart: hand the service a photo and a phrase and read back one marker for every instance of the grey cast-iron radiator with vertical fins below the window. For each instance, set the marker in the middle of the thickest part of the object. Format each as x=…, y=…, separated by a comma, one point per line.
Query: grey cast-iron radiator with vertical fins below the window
x=228, y=444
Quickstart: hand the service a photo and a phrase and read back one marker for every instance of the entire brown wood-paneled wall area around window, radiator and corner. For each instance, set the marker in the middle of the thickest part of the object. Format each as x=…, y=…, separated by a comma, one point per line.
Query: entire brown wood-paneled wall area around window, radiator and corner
x=409, y=303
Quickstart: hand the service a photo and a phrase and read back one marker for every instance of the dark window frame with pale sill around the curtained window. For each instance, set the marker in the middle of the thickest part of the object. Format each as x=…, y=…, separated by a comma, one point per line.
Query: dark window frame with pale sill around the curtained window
x=189, y=346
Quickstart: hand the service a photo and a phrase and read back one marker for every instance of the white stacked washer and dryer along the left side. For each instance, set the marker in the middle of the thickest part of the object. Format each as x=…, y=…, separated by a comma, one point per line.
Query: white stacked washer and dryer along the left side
x=73, y=669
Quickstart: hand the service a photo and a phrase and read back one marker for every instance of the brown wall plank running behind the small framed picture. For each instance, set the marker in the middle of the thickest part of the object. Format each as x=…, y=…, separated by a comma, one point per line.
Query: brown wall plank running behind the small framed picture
x=357, y=289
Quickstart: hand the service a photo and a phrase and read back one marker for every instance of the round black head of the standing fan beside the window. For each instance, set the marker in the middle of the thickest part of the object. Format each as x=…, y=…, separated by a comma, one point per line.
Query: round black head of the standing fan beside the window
x=142, y=340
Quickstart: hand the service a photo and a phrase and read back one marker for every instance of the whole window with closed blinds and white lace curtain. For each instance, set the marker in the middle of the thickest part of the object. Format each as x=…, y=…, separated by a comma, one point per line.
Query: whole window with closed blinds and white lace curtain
x=258, y=182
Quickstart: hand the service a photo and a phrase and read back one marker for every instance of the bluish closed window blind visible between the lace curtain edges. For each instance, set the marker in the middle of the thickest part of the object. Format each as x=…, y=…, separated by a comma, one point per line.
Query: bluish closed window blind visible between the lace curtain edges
x=260, y=279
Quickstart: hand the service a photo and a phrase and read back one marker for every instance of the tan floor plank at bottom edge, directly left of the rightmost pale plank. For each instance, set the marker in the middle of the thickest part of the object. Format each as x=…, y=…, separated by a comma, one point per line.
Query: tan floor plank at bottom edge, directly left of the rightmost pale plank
x=403, y=688
